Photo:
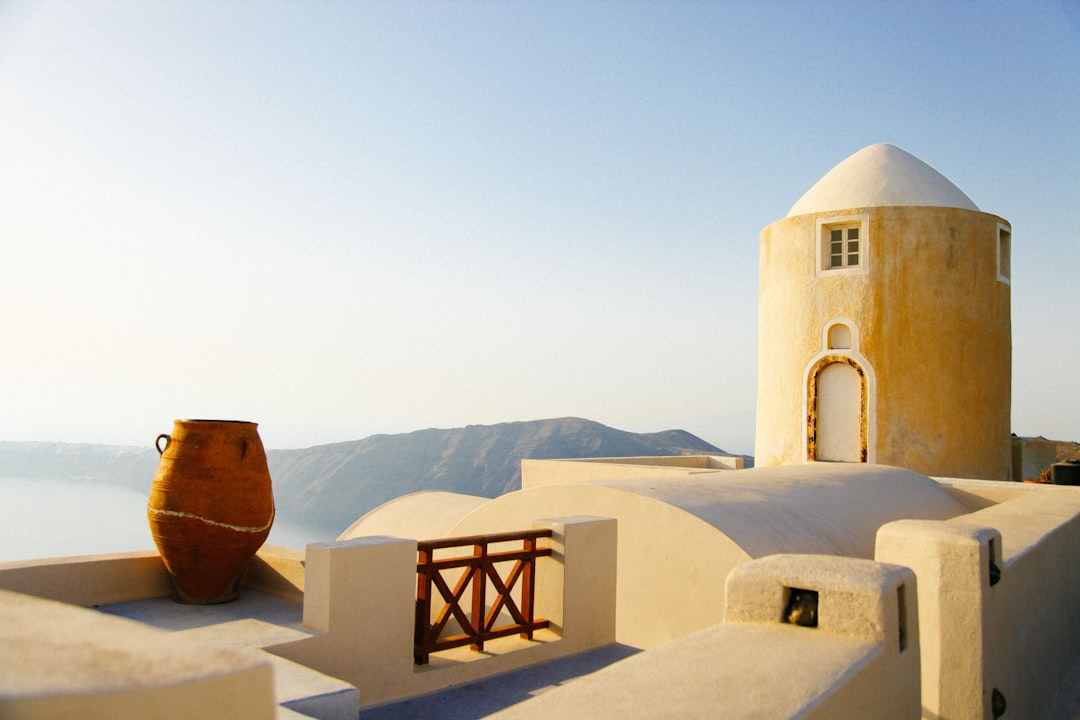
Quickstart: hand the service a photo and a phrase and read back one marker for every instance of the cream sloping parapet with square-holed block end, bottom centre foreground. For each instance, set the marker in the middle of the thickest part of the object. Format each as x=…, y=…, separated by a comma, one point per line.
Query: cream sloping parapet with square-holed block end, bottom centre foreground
x=860, y=661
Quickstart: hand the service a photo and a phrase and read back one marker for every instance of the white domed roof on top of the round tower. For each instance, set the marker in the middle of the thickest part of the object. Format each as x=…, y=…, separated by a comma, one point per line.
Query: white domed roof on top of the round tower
x=880, y=176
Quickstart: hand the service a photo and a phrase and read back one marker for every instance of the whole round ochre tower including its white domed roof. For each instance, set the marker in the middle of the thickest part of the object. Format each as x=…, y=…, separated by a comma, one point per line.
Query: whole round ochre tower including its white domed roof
x=885, y=333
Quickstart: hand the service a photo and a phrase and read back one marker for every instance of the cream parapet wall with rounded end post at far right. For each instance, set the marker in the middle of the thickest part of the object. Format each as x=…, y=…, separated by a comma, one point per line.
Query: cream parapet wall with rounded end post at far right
x=998, y=599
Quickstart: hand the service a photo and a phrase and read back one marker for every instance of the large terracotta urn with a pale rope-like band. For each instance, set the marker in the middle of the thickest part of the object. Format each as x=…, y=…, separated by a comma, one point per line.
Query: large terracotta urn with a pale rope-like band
x=211, y=507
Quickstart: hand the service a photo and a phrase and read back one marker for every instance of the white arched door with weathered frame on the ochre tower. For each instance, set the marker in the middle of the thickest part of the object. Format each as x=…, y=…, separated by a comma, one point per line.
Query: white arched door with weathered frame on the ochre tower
x=836, y=429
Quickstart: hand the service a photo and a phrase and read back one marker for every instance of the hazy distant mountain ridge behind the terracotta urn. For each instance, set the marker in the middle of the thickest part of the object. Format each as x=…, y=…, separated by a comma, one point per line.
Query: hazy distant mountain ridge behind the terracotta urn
x=330, y=486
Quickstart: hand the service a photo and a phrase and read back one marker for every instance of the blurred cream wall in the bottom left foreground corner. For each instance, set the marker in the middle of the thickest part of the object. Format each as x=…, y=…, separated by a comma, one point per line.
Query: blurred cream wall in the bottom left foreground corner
x=61, y=661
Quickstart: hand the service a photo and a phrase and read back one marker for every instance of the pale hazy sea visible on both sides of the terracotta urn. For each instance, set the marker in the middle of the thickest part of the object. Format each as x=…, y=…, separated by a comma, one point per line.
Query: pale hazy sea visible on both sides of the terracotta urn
x=62, y=519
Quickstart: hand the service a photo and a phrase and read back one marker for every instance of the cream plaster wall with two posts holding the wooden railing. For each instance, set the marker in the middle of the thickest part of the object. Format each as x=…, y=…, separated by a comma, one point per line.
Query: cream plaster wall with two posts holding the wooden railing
x=360, y=599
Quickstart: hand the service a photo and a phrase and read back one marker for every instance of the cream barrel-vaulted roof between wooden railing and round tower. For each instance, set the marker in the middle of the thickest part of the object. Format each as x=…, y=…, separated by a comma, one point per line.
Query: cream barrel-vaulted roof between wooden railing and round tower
x=681, y=536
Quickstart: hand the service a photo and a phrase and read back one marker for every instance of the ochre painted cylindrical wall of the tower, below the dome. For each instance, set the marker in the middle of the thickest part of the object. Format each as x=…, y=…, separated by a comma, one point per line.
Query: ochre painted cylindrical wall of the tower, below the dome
x=933, y=335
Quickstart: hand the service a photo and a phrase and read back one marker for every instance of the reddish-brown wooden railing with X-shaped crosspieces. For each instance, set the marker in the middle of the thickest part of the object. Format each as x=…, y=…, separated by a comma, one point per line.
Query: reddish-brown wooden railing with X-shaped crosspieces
x=477, y=572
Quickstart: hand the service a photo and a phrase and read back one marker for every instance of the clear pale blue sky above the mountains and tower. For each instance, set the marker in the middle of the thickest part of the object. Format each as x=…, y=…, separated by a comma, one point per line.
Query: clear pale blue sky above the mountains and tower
x=347, y=219
